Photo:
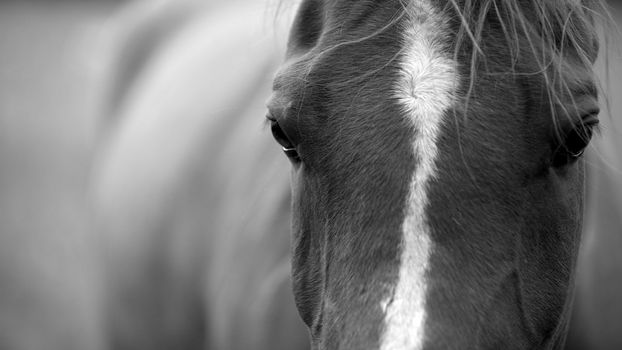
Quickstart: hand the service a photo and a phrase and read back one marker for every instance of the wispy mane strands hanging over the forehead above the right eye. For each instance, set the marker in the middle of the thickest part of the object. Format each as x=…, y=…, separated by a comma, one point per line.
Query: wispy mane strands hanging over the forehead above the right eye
x=552, y=30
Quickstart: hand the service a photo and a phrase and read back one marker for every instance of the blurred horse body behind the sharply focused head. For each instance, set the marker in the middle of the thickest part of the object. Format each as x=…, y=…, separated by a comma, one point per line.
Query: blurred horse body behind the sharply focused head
x=192, y=200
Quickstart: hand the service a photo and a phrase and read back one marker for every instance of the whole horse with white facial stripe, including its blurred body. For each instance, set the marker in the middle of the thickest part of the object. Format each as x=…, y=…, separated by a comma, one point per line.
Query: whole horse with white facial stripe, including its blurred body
x=435, y=154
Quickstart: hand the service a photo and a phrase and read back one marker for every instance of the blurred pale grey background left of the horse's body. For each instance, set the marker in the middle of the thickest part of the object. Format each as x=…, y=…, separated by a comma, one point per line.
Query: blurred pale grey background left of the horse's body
x=49, y=280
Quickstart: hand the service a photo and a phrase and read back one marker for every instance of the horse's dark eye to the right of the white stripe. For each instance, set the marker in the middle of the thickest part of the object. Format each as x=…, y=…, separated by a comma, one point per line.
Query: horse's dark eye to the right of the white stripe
x=574, y=142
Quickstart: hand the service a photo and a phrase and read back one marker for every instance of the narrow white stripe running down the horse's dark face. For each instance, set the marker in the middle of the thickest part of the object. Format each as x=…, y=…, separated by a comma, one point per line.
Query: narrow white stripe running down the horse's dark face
x=425, y=92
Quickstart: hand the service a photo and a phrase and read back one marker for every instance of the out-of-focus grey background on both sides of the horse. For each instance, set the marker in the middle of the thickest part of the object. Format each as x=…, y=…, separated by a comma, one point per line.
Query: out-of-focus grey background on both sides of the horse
x=56, y=59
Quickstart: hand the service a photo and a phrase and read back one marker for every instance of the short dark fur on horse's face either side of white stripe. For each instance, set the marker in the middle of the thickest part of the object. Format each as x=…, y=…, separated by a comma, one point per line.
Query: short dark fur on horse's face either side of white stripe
x=505, y=218
